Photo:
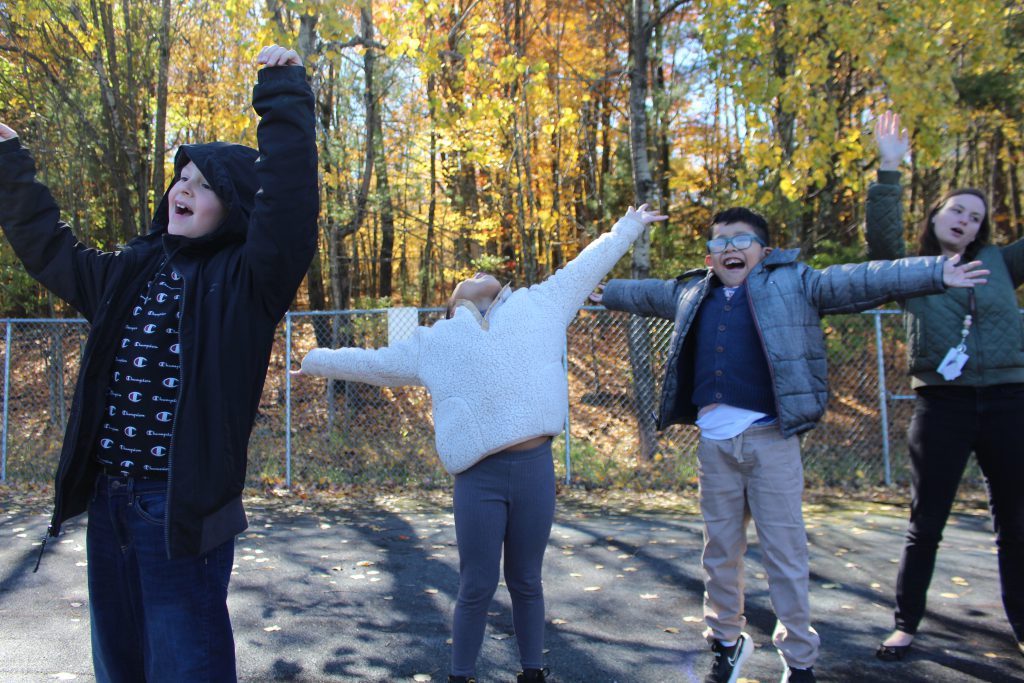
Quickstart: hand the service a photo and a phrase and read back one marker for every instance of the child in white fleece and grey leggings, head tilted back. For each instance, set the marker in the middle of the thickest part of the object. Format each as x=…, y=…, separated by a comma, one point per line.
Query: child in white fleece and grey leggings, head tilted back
x=495, y=373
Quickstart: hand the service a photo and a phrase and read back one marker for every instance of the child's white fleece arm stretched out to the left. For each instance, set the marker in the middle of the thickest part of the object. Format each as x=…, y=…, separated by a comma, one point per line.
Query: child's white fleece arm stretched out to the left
x=392, y=366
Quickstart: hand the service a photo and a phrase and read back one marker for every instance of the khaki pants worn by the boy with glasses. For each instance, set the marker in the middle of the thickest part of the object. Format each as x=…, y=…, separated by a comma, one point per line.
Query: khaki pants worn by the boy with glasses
x=757, y=475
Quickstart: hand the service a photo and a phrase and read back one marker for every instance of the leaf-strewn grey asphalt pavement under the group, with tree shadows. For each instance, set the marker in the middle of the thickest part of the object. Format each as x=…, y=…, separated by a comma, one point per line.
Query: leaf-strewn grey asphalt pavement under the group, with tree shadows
x=340, y=589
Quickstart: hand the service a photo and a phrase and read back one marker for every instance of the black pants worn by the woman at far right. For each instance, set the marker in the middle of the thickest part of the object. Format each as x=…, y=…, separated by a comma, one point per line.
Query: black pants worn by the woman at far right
x=949, y=423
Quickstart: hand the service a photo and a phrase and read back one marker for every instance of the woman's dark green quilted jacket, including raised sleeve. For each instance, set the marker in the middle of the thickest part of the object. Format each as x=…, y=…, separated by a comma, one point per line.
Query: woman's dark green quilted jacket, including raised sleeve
x=996, y=346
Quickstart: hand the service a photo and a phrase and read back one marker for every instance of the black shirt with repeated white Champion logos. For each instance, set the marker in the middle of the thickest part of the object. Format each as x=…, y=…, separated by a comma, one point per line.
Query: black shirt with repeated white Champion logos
x=143, y=392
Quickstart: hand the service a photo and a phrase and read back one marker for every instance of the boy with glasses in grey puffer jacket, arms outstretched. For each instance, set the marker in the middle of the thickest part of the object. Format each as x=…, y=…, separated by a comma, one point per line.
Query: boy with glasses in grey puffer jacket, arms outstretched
x=748, y=366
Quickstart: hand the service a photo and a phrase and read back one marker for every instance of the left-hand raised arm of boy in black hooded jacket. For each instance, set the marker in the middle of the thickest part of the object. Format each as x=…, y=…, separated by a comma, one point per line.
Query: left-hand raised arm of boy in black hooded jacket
x=31, y=220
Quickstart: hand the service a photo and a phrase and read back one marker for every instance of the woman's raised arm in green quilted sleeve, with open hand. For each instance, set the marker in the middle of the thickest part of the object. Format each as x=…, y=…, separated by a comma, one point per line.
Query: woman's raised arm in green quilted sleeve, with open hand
x=885, y=210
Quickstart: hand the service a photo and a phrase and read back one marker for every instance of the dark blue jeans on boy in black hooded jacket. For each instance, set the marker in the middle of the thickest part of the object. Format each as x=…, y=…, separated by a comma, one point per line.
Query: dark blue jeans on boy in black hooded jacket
x=153, y=619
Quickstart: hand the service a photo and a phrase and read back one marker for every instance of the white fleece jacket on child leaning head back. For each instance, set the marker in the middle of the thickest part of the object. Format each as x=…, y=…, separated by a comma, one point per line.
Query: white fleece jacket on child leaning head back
x=496, y=383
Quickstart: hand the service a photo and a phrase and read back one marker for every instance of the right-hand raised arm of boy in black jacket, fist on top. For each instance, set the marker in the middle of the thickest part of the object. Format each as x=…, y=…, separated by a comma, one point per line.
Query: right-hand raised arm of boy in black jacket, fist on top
x=283, y=229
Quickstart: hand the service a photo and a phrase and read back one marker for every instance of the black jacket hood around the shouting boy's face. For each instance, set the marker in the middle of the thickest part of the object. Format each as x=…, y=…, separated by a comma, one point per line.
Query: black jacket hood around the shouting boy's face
x=231, y=169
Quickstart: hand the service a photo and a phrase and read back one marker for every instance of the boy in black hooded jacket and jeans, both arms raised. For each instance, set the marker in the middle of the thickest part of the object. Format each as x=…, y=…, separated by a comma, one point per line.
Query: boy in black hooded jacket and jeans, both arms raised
x=183, y=324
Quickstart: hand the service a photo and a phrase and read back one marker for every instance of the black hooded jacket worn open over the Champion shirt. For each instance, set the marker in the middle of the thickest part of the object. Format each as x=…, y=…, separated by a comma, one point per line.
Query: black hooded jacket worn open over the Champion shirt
x=239, y=282
